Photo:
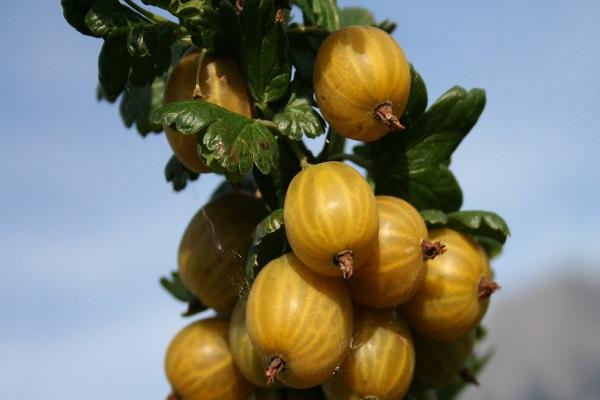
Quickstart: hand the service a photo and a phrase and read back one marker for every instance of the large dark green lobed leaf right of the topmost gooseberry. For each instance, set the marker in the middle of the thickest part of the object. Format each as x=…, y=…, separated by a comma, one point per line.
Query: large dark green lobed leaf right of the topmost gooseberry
x=414, y=164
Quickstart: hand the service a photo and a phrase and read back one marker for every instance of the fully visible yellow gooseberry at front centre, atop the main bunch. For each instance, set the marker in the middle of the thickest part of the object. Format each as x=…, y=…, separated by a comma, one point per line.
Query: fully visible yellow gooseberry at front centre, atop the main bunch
x=331, y=219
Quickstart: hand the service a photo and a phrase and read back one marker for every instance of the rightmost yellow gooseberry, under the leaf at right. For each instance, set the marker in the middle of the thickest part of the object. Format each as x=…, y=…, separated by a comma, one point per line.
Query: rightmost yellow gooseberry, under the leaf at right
x=447, y=306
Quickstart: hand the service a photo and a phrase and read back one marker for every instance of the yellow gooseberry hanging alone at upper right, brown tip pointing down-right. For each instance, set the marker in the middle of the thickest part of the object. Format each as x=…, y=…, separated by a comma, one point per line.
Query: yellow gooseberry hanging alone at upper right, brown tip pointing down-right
x=362, y=82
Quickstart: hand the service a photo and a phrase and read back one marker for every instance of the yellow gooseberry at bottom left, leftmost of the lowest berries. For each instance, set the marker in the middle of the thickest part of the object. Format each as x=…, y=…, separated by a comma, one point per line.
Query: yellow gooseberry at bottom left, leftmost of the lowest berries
x=199, y=364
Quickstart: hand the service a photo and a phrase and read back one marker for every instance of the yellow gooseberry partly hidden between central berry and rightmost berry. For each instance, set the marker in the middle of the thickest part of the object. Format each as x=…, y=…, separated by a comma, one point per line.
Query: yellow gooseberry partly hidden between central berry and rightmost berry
x=395, y=270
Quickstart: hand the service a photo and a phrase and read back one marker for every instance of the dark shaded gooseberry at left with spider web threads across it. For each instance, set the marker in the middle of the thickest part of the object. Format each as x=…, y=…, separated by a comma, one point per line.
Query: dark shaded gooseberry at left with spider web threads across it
x=213, y=247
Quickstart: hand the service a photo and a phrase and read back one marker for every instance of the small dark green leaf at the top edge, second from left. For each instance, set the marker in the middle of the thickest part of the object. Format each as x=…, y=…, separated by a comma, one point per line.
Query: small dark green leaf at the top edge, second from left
x=110, y=18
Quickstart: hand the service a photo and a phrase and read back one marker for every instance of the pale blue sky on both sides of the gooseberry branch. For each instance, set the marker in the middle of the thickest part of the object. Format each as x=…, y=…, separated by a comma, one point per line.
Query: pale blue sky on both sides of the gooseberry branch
x=88, y=224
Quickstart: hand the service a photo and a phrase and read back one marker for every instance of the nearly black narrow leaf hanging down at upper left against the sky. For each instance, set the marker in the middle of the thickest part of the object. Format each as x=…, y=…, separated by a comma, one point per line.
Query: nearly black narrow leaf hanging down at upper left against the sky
x=114, y=63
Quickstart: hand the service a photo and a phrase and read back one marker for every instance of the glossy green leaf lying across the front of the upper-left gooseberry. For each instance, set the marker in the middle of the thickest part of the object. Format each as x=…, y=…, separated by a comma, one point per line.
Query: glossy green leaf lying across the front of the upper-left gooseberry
x=235, y=143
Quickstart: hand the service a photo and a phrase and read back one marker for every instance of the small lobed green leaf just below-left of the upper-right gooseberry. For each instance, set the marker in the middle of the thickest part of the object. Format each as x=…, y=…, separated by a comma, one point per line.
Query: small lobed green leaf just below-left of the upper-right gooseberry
x=298, y=117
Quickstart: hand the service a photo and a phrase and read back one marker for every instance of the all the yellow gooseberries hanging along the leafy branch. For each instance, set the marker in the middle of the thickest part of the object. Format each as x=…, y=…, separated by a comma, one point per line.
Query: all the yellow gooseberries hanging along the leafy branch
x=366, y=301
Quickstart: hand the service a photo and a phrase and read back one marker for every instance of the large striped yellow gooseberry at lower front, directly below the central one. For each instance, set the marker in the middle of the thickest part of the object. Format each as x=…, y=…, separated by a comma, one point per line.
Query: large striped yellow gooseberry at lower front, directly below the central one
x=299, y=321
